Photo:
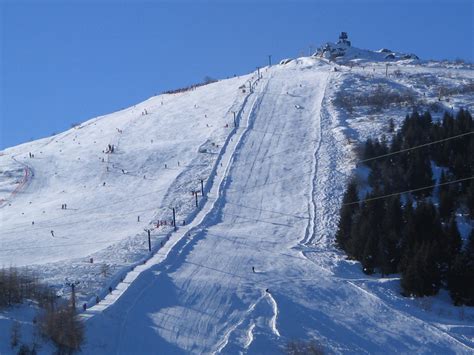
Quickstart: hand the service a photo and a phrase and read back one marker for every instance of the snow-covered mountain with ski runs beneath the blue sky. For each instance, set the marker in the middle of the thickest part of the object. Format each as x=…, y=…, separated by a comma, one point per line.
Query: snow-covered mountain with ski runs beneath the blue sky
x=254, y=264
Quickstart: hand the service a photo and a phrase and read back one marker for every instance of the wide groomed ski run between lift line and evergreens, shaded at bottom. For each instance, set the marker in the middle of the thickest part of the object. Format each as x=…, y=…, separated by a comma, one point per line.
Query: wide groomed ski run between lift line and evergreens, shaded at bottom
x=199, y=301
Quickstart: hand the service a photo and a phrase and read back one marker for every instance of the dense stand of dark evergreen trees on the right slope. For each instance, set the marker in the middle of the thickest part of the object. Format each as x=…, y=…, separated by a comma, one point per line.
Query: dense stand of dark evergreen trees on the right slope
x=415, y=233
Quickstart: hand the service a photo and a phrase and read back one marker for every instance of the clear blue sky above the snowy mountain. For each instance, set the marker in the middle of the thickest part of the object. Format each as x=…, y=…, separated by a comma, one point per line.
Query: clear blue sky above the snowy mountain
x=67, y=61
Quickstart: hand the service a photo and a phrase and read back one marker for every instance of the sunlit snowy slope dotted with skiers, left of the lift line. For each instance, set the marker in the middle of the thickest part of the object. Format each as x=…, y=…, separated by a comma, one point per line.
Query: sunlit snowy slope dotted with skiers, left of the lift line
x=101, y=221
